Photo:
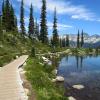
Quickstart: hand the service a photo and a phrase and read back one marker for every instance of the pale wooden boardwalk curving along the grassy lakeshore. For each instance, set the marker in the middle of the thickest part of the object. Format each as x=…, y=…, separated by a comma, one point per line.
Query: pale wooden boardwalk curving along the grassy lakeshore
x=10, y=83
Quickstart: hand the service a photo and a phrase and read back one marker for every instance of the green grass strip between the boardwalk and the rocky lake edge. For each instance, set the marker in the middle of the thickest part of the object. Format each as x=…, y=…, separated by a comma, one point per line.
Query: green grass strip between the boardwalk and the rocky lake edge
x=40, y=77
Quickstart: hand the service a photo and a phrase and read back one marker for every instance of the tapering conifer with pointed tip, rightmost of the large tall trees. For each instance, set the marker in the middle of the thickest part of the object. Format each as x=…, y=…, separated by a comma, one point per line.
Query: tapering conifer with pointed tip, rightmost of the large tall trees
x=55, y=32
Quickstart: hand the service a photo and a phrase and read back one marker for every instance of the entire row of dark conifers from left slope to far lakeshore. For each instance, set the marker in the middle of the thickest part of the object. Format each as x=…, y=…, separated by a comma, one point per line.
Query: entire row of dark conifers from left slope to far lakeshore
x=8, y=22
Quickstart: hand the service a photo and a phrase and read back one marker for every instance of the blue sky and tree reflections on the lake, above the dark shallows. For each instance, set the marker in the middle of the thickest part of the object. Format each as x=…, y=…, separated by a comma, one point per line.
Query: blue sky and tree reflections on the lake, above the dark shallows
x=79, y=68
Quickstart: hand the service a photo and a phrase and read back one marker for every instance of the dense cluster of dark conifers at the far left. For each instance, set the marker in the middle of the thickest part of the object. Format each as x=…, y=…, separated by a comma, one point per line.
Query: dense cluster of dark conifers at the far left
x=8, y=20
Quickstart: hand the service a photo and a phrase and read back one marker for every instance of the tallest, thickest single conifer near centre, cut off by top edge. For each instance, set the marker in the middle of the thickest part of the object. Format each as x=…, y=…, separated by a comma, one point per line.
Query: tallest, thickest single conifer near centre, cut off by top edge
x=43, y=24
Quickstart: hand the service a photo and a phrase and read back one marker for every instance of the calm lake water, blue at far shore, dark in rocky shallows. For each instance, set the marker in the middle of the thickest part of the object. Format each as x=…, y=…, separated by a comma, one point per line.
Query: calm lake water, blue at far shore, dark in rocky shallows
x=84, y=71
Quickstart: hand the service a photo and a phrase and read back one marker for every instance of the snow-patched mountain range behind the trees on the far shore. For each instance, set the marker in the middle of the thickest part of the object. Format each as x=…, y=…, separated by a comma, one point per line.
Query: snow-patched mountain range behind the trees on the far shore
x=89, y=40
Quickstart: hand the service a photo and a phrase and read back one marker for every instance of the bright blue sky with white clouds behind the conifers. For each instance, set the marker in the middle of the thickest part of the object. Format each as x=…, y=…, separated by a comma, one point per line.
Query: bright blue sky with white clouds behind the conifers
x=71, y=15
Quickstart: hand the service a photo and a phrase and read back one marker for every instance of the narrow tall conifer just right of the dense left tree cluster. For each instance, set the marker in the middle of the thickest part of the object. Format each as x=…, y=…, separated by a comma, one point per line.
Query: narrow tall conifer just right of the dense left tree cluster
x=22, y=24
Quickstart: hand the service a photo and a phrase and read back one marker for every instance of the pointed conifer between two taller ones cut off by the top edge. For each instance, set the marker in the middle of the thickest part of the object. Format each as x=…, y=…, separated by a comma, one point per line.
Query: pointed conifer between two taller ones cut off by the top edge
x=31, y=23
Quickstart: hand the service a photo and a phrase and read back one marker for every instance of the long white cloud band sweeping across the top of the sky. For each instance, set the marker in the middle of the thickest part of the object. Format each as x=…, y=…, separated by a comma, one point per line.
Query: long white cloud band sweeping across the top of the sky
x=76, y=12
